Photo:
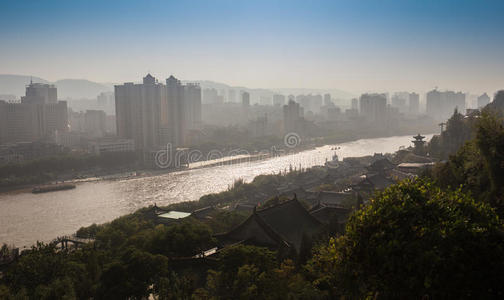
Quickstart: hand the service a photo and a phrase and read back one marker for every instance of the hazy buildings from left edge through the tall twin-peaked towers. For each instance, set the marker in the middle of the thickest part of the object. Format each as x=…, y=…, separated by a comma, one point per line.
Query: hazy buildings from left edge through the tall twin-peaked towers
x=147, y=117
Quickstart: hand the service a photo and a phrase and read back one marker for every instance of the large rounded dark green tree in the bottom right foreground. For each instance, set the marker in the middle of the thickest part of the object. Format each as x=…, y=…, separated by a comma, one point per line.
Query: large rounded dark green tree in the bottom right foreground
x=412, y=240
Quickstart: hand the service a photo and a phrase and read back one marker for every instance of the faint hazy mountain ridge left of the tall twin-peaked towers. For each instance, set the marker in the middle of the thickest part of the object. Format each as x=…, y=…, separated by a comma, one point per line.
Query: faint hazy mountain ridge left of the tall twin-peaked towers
x=67, y=88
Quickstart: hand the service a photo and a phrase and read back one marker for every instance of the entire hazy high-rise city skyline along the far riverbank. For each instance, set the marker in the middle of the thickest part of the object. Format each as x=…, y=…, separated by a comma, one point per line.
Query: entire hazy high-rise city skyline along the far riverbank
x=146, y=117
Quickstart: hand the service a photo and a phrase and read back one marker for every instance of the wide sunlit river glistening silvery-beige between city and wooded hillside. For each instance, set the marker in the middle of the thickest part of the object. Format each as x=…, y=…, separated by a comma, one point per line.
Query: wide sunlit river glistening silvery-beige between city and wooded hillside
x=26, y=217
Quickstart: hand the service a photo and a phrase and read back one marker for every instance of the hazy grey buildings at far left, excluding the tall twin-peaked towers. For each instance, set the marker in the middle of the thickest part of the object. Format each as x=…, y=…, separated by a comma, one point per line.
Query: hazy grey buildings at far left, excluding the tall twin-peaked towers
x=39, y=125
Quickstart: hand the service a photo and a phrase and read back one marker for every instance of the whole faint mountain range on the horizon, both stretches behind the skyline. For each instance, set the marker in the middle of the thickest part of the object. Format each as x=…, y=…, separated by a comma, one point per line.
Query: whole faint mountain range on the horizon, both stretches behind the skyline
x=85, y=89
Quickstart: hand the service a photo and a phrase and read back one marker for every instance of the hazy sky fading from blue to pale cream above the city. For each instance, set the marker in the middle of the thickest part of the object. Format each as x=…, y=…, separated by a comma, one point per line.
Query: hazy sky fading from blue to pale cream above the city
x=352, y=45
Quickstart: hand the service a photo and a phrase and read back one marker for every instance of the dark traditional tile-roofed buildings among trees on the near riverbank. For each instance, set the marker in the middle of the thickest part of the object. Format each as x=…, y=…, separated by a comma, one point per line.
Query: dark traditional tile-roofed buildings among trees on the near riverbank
x=290, y=216
